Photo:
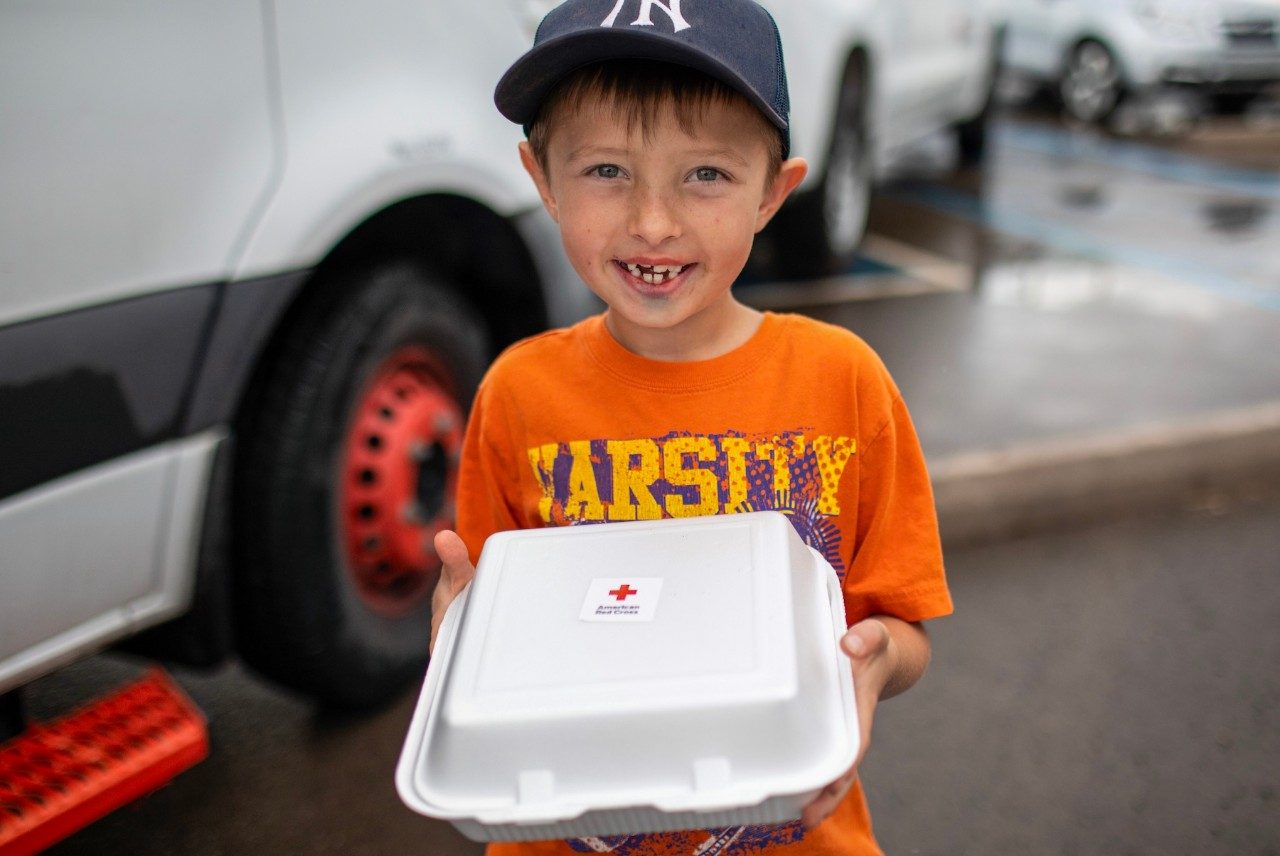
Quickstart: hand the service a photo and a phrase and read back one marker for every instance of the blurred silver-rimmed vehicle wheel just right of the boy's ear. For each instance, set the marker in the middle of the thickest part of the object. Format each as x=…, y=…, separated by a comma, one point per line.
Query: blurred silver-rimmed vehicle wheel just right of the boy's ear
x=819, y=232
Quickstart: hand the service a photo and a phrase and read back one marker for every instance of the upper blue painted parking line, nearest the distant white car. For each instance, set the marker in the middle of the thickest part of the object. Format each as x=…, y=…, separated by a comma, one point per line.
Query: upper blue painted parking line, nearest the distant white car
x=1141, y=159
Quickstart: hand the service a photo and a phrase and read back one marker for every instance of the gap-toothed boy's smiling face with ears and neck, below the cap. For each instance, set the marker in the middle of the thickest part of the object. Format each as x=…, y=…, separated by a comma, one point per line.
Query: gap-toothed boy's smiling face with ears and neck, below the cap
x=661, y=225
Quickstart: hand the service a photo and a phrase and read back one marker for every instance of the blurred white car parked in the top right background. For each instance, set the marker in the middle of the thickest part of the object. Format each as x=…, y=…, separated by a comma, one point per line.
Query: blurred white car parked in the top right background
x=1098, y=52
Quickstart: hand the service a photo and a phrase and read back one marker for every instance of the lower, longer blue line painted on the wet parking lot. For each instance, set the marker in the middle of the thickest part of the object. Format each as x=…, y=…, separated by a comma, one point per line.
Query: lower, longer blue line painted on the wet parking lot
x=1054, y=235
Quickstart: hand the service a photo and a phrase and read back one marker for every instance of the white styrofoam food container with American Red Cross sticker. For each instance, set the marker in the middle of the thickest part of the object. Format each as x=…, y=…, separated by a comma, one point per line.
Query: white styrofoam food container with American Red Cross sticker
x=634, y=678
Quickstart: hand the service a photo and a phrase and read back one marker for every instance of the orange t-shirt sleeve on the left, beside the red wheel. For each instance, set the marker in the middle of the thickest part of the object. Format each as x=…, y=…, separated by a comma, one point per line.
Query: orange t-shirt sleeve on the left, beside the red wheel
x=487, y=498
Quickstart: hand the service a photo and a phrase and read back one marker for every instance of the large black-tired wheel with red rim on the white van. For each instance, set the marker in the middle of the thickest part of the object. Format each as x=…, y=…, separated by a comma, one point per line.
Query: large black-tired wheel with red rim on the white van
x=349, y=470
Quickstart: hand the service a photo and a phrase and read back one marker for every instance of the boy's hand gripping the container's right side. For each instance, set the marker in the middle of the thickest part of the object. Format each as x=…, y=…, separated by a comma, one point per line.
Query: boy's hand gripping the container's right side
x=870, y=647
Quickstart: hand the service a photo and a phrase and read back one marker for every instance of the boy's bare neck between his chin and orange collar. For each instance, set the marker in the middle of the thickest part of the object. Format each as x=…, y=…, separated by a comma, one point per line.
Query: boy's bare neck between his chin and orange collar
x=703, y=337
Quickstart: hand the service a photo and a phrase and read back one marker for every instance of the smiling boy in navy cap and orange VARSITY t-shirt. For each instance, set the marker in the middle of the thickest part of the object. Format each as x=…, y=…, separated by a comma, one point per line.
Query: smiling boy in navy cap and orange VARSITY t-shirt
x=659, y=143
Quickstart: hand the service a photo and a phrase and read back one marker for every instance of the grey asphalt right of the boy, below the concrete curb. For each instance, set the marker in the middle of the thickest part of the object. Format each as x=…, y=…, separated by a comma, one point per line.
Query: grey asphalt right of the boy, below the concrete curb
x=1110, y=690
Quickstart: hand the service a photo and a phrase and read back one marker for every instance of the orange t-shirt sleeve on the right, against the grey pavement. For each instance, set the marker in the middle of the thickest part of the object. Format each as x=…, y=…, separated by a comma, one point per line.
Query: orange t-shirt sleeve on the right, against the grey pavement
x=897, y=567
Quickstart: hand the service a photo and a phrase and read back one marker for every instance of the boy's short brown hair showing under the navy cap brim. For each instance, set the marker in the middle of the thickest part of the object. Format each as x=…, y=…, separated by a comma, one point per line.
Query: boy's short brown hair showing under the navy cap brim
x=637, y=91
